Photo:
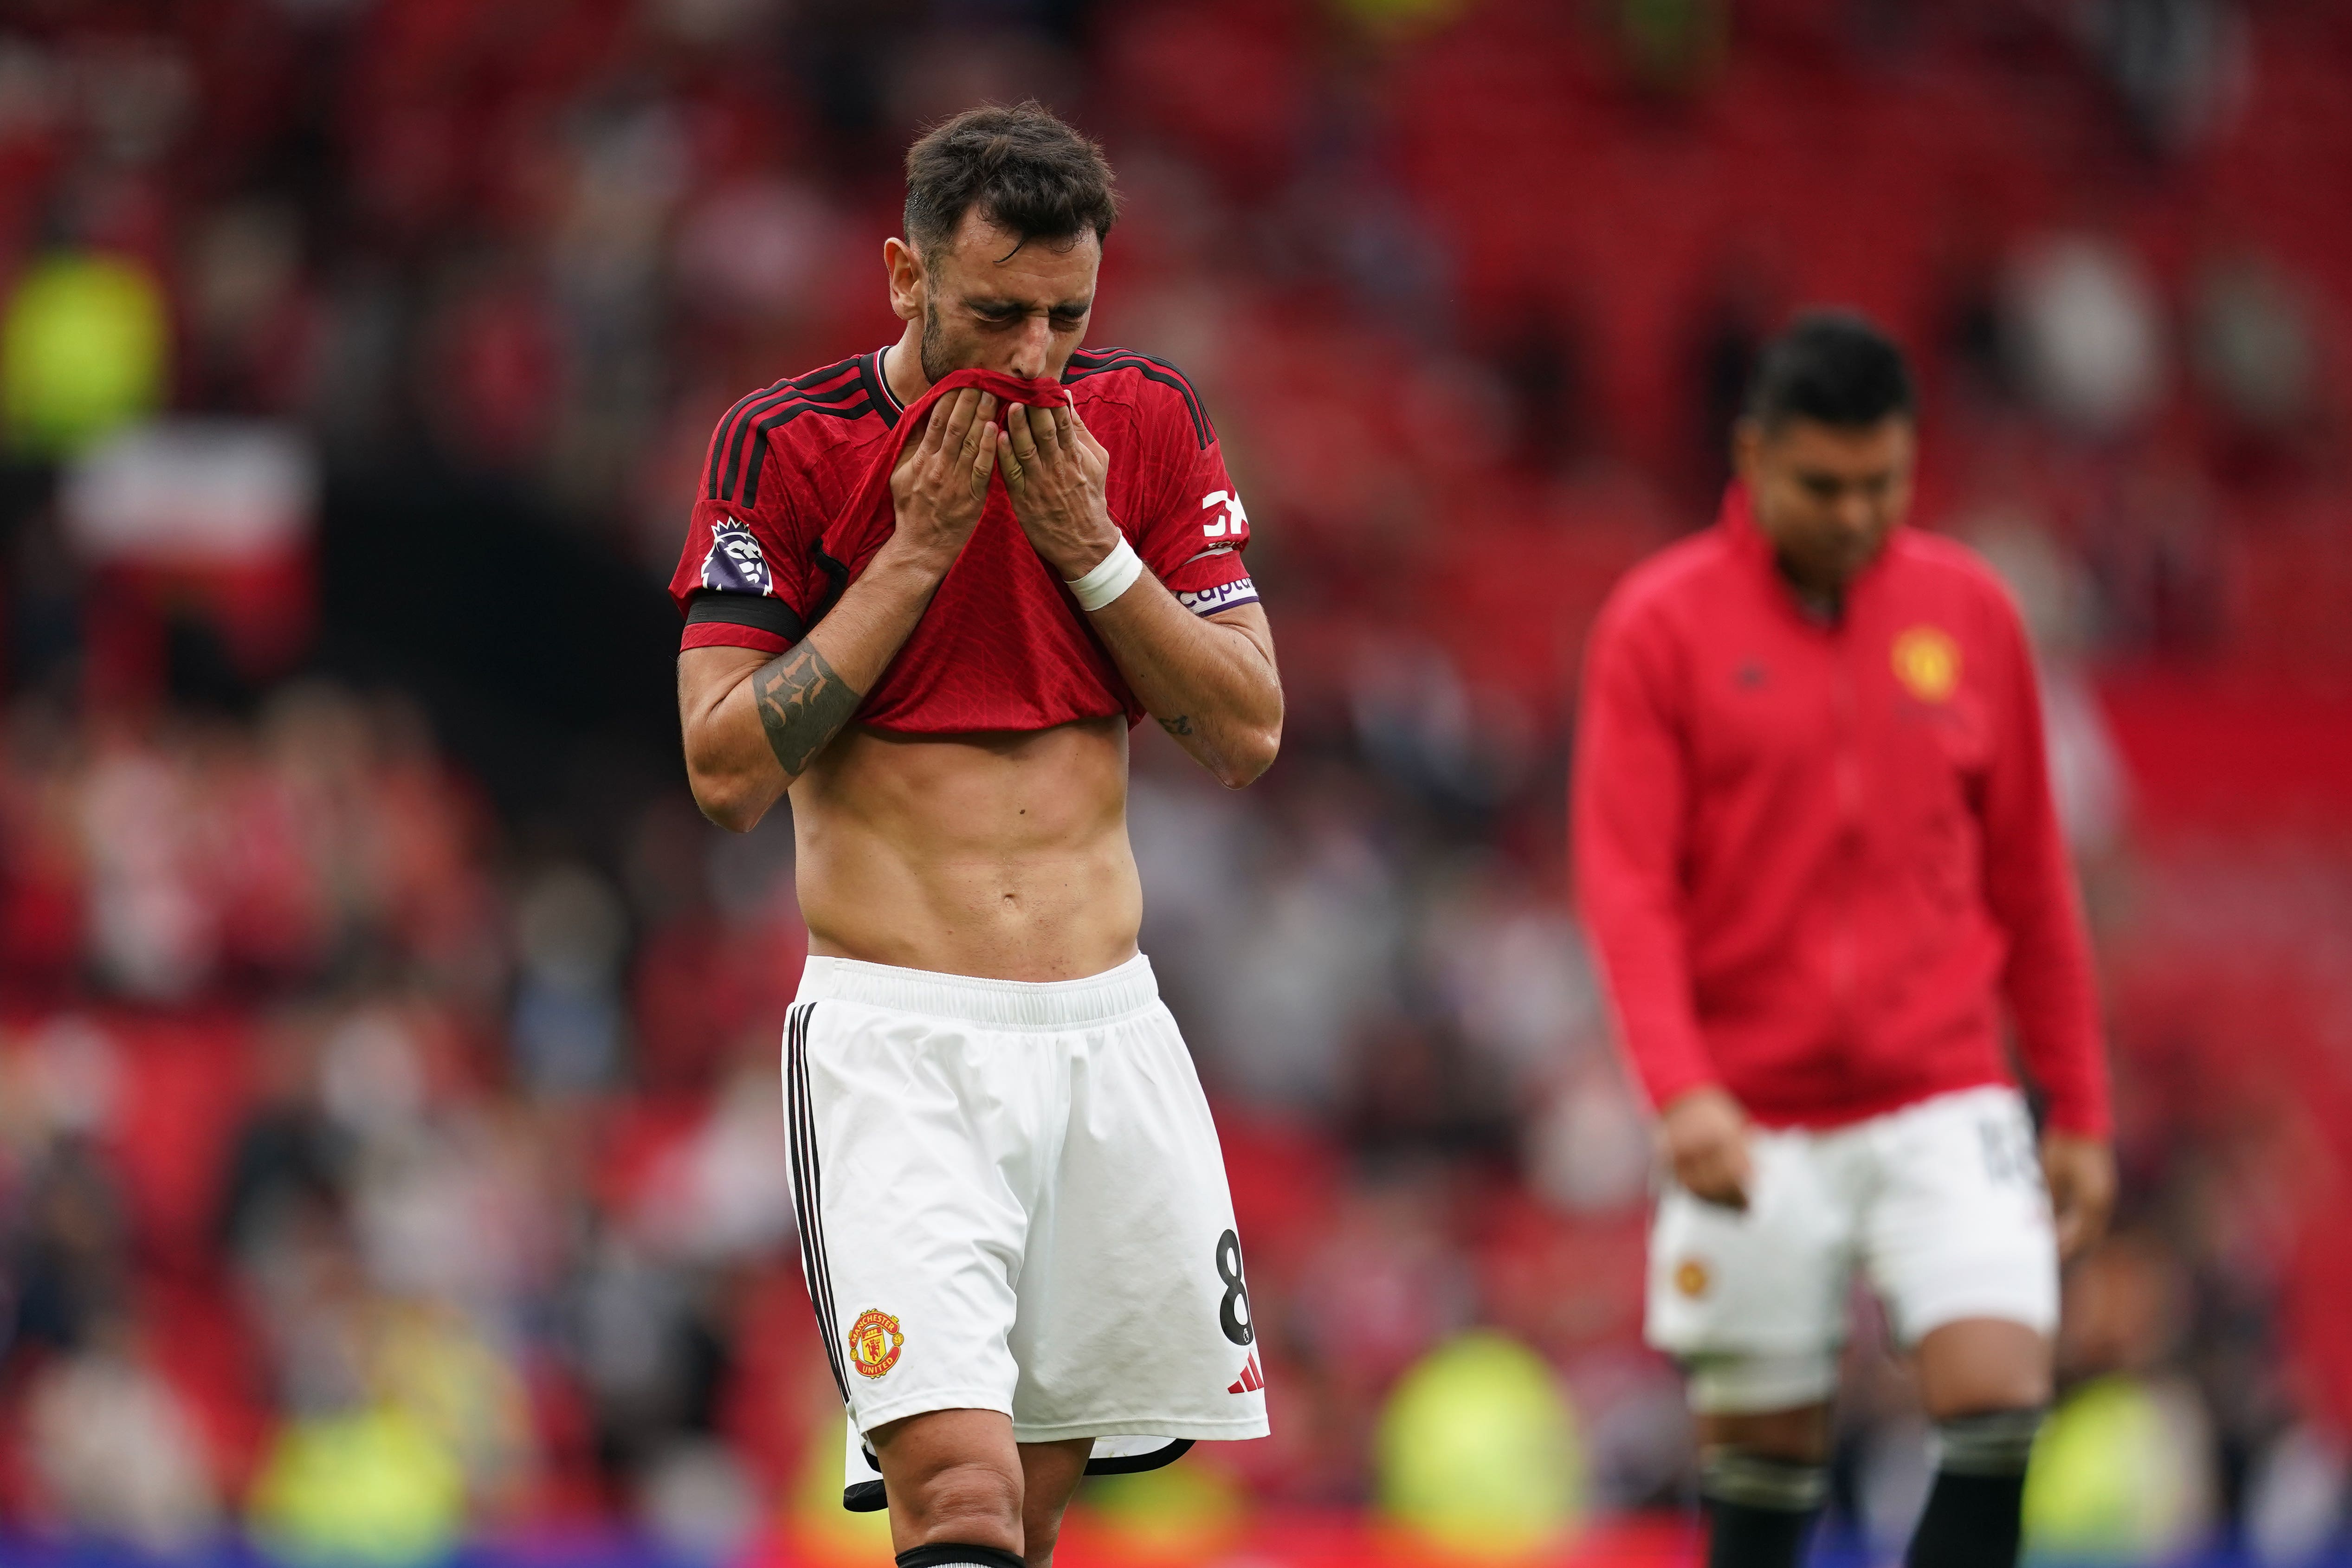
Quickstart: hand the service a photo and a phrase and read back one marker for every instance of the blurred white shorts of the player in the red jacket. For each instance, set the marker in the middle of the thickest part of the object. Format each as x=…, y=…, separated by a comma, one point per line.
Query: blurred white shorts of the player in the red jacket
x=1939, y=1205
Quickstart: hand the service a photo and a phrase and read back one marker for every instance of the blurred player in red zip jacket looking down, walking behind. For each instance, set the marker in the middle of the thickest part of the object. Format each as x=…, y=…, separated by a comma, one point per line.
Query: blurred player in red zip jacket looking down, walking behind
x=1815, y=847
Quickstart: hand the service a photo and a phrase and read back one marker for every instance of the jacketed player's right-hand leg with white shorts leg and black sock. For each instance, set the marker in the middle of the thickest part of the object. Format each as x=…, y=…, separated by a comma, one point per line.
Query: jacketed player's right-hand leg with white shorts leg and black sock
x=1963, y=1249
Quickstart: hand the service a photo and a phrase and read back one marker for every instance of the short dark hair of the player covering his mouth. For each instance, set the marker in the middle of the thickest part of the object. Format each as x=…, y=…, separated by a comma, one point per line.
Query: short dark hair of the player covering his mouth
x=1024, y=170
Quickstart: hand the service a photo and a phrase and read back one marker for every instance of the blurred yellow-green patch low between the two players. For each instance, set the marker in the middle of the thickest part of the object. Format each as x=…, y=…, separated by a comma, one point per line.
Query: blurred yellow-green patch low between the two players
x=1478, y=1452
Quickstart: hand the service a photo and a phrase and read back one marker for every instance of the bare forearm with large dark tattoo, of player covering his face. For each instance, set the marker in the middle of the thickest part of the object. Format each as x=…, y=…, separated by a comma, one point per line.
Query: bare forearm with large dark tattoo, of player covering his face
x=754, y=732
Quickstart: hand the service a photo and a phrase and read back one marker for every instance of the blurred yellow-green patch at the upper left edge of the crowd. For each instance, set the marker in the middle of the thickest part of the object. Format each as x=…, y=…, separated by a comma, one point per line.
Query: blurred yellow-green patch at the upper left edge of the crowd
x=83, y=351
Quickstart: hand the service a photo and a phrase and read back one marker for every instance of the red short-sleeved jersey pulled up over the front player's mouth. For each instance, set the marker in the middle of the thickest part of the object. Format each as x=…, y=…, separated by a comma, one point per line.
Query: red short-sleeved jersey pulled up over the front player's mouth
x=796, y=502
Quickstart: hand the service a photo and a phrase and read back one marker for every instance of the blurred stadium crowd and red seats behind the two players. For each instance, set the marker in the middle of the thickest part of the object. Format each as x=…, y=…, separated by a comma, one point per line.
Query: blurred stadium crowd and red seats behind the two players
x=387, y=1160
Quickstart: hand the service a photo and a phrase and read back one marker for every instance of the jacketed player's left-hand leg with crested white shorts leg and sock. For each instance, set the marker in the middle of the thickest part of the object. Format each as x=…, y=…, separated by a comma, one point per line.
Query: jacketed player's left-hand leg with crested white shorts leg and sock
x=1756, y=1308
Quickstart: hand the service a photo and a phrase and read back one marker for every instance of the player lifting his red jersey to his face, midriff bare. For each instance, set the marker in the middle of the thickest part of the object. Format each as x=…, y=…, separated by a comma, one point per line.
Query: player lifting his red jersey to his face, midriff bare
x=928, y=591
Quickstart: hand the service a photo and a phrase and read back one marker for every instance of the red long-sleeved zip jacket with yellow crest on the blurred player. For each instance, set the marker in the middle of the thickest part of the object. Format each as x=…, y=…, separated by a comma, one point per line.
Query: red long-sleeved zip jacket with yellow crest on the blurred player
x=1815, y=857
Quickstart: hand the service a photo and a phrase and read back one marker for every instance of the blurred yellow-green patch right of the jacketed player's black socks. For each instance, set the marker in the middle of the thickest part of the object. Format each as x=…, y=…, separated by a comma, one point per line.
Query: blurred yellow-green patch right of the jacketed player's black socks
x=2113, y=1480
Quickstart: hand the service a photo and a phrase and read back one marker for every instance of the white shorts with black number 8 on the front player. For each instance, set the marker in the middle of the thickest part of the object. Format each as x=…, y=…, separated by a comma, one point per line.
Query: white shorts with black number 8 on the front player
x=1013, y=1200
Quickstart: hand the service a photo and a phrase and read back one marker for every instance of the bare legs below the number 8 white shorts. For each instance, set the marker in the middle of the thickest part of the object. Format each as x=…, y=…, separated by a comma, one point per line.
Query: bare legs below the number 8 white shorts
x=961, y=1492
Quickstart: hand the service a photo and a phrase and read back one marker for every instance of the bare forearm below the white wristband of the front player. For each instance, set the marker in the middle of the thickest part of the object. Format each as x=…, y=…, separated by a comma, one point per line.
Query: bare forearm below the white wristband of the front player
x=1210, y=683
